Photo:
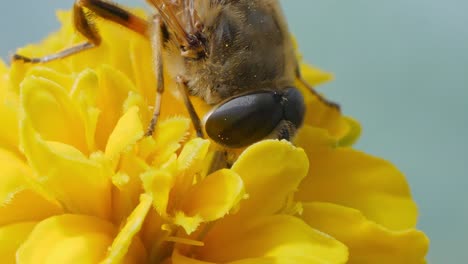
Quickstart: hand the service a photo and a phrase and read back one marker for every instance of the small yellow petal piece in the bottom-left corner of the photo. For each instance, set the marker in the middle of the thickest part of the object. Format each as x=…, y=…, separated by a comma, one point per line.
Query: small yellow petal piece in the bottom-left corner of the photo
x=11, y=237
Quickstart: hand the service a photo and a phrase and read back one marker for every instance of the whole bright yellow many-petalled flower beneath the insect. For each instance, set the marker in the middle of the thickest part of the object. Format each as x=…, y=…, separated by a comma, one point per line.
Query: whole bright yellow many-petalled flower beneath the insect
x=81, y=184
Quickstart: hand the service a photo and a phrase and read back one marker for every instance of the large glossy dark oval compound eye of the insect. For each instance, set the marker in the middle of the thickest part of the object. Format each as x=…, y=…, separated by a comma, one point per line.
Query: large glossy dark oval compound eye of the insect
x=246, y=119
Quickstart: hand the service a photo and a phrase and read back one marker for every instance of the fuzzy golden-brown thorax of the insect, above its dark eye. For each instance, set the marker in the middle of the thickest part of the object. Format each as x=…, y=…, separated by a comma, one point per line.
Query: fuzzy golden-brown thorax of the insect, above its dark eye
x=248, y=47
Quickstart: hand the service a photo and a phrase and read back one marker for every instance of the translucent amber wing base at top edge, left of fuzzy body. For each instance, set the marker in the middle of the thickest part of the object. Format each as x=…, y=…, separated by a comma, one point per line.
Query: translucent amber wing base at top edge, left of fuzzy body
x=180, y=16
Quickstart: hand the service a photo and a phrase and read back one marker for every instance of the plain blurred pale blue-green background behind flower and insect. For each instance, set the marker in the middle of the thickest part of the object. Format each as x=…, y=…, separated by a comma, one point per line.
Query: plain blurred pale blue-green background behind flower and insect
x=401, y=68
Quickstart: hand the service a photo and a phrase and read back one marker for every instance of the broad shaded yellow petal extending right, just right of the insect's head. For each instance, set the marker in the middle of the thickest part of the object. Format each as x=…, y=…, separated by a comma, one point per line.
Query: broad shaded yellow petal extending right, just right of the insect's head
x=351, y=178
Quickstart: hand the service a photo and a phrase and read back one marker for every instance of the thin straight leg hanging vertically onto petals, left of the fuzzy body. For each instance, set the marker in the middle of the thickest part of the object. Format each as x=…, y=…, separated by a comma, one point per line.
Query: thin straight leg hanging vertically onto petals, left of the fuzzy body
x=157, y=43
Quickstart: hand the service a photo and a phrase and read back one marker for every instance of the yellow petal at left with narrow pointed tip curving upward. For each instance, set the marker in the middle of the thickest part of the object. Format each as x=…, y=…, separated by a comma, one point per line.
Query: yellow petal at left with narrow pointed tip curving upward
x=66, y=173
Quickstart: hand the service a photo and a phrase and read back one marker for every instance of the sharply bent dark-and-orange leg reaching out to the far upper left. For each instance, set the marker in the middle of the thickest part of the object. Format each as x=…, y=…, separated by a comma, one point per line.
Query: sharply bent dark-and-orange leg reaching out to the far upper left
x=82, y=23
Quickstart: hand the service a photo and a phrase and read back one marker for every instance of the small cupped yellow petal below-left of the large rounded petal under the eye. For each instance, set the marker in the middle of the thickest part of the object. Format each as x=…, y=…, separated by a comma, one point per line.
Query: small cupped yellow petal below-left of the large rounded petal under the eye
x=214, y=196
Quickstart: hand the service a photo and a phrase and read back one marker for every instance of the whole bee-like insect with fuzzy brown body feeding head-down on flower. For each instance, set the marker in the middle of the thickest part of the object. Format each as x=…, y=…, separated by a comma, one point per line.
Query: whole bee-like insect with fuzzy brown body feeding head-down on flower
x=234, y=54
